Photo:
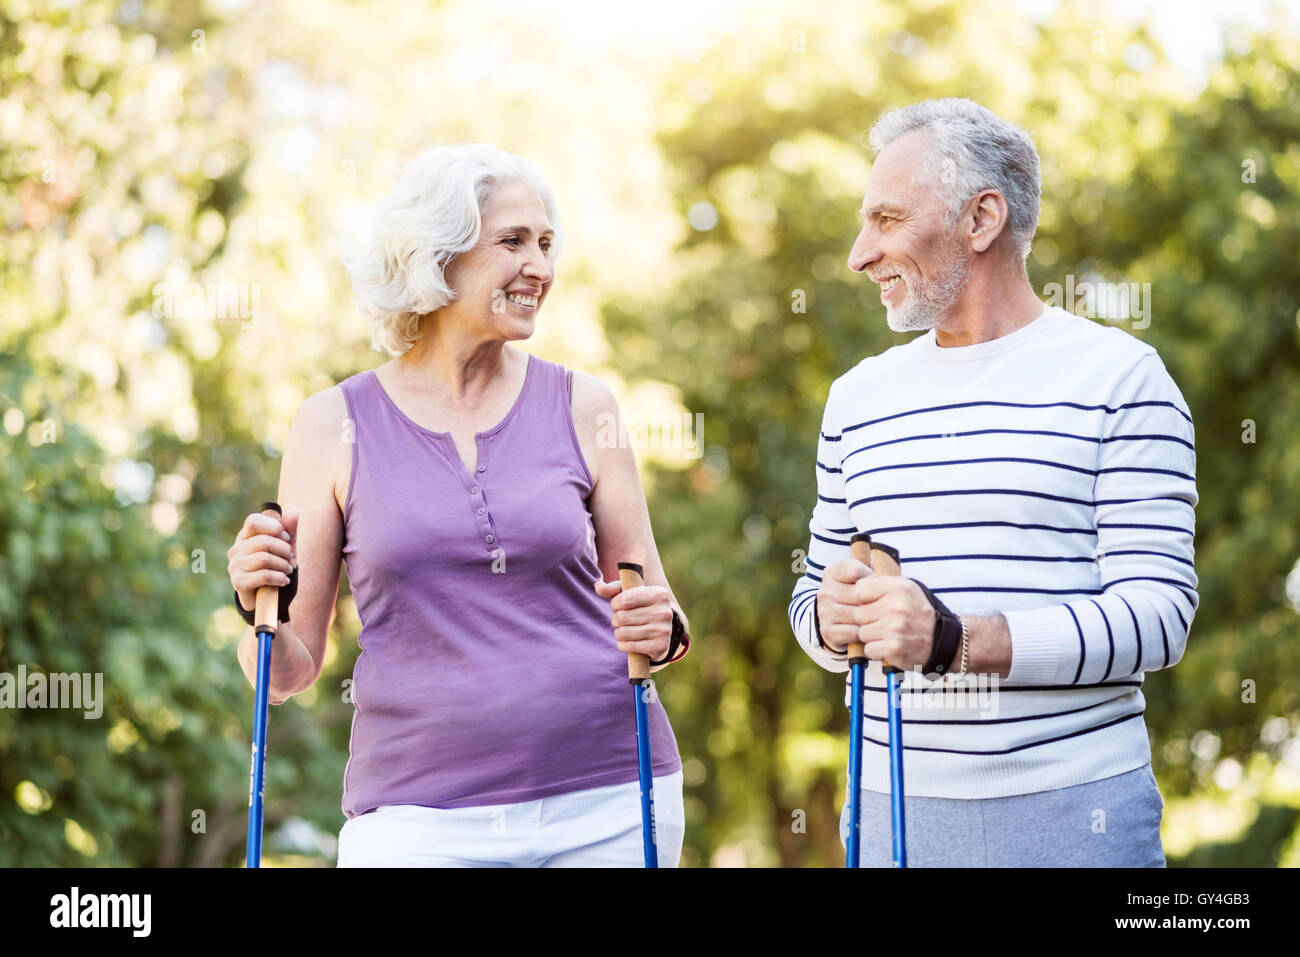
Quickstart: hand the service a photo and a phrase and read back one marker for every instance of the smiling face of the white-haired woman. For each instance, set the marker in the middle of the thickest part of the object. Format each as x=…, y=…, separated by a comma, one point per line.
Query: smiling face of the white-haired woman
x=502, y=282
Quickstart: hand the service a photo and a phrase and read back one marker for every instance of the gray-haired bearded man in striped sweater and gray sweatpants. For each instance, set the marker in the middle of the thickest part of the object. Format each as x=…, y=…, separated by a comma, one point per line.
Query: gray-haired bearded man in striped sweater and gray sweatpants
x=1037, y=473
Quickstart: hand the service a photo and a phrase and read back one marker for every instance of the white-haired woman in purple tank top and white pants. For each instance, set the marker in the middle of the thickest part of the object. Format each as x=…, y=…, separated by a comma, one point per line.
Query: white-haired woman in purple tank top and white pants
x=482, y=523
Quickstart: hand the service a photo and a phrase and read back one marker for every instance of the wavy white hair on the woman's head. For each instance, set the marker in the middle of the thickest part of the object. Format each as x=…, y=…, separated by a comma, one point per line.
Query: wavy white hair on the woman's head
x=431, y=215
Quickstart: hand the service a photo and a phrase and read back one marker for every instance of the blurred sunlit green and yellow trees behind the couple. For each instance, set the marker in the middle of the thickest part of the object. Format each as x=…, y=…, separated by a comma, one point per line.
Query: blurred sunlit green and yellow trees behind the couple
x=709, y=161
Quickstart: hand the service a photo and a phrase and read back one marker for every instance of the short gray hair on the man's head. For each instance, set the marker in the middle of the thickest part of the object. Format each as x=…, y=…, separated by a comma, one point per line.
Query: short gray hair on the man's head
x=974, y=150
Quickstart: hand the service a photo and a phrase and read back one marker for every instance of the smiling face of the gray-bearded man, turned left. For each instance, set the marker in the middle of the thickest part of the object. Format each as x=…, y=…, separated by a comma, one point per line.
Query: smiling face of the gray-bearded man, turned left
x=908, y=244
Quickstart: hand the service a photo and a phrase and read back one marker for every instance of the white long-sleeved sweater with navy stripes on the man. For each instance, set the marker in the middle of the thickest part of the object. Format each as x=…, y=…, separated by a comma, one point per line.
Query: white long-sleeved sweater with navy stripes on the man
x=1048, y=475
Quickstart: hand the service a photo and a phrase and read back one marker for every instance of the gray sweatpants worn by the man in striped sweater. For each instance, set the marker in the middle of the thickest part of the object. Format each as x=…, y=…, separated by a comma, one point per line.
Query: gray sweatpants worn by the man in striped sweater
x=1108, y=824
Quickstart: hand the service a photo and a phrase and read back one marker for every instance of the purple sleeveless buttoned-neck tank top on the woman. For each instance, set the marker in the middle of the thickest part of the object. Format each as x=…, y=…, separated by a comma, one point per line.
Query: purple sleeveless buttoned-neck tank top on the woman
x=489, y=673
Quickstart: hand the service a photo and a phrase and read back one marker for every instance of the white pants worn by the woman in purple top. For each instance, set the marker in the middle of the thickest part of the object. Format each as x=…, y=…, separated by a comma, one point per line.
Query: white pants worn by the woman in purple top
x=599, y=828
